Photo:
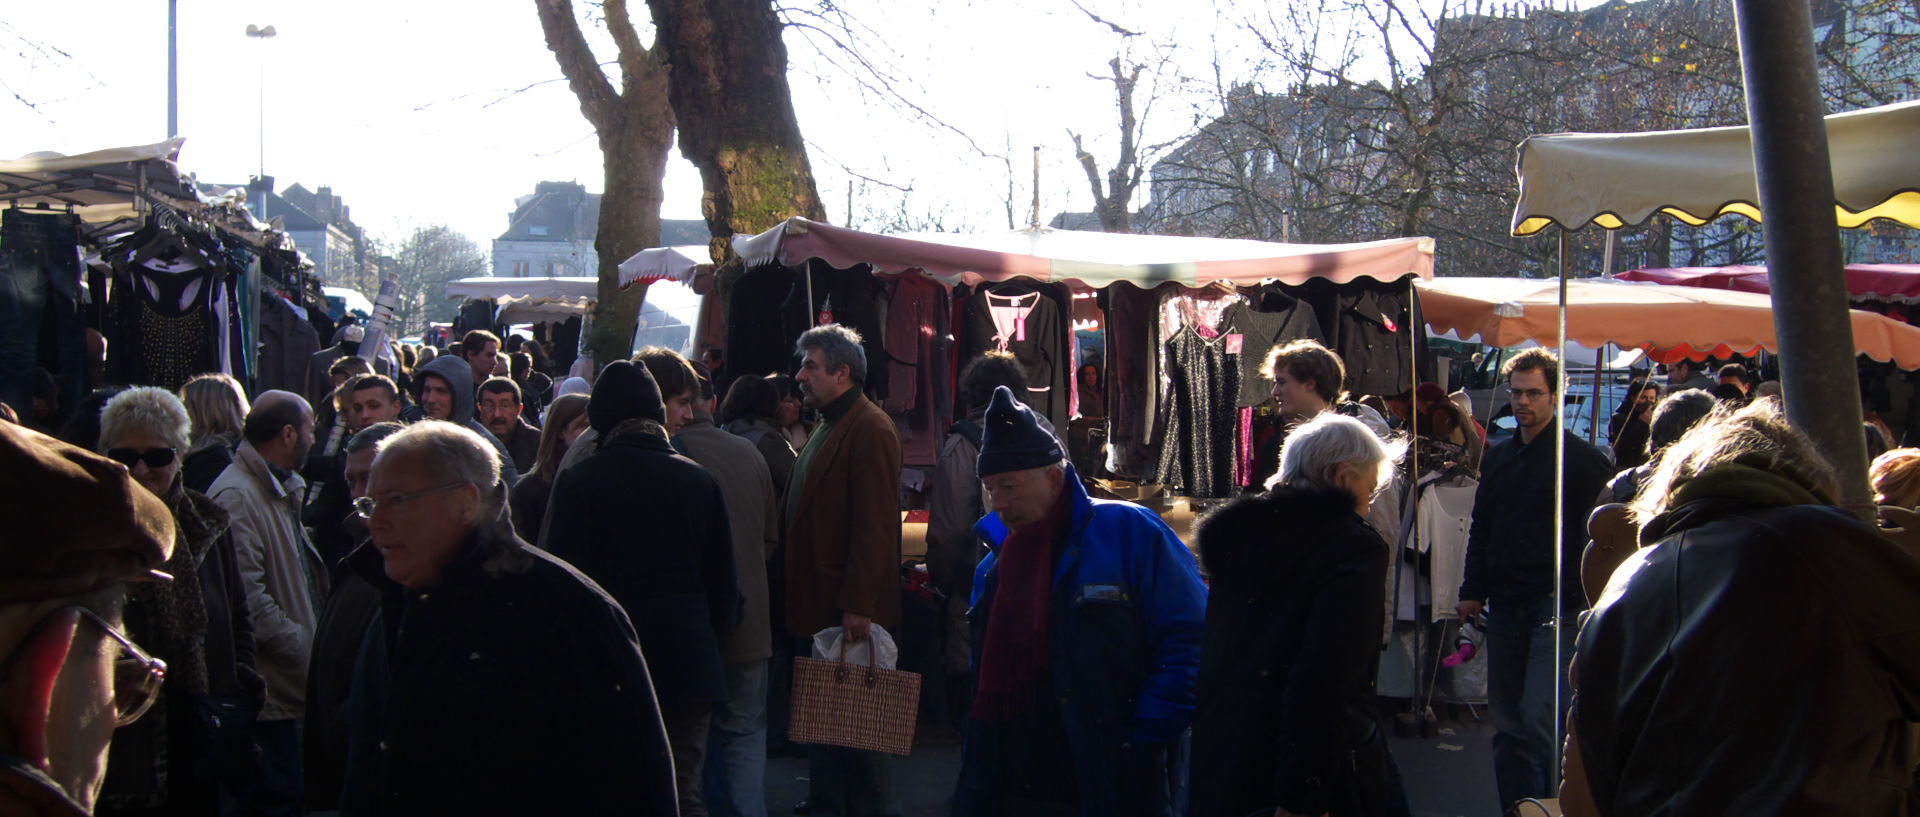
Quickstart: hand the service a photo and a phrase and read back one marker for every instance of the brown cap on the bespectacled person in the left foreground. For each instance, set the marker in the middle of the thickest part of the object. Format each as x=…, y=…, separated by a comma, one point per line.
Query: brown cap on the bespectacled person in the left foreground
x=74, y=521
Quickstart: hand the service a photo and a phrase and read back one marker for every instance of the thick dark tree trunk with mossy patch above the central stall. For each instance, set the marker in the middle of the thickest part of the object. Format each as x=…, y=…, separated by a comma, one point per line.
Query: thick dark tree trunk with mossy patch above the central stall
x=736, y=116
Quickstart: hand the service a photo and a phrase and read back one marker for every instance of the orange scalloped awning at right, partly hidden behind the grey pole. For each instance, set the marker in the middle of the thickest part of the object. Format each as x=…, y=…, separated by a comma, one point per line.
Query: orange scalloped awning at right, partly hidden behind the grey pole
x=1506, y=312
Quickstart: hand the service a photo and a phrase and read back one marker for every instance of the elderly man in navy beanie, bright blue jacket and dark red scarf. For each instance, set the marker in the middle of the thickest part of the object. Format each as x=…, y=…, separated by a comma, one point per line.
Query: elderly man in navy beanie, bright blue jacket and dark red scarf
x=1088, y=622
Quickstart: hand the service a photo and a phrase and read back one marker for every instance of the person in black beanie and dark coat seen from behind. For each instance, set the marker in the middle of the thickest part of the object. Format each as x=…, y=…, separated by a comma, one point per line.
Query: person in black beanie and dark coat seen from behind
x=652, y=528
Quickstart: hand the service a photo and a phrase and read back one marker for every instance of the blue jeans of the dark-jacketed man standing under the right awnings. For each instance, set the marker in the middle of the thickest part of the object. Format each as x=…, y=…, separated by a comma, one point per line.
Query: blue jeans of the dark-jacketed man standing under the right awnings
x=1522, y=670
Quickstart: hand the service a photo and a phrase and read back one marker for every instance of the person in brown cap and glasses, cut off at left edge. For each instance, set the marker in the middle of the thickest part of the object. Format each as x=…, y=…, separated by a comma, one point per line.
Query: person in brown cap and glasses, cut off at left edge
x=78, y=530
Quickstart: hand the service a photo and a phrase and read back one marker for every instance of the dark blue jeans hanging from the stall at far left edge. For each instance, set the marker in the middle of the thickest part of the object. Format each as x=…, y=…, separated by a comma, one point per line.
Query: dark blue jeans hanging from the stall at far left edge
x=41, y=308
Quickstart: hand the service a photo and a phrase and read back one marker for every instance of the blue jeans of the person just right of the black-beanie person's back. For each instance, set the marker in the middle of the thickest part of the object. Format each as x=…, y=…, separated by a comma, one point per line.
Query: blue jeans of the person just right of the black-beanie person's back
x=736, y=749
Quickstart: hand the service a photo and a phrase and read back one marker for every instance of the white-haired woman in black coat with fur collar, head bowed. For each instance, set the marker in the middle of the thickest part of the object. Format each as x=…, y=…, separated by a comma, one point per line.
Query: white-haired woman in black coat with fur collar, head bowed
x=1287, y=720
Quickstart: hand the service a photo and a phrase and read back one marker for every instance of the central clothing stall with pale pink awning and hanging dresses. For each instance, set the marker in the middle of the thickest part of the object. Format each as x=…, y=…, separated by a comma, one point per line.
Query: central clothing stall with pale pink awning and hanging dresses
x=1188, y=321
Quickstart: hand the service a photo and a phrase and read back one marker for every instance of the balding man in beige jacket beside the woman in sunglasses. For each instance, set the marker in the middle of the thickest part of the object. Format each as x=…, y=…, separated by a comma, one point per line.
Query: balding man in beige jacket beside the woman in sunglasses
x=283, y=576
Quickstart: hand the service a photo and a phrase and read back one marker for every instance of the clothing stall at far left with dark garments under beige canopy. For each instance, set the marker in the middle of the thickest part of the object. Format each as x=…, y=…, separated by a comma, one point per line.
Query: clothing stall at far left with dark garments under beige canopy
x=162, y=279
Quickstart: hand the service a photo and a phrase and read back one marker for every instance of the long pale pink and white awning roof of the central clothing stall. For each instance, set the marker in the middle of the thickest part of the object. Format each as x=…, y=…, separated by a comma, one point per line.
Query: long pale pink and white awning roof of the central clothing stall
x=1090, y=258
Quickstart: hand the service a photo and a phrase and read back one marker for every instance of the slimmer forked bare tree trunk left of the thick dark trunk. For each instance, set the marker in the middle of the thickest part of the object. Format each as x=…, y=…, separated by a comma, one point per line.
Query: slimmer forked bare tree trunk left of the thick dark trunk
x=636, y=131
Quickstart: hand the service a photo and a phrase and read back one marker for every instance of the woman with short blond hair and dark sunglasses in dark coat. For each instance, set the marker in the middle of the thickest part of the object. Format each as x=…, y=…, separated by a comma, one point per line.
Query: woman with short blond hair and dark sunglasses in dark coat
x=199, y=624
